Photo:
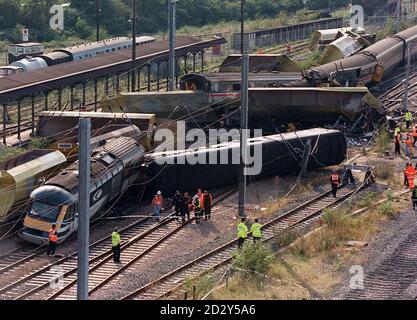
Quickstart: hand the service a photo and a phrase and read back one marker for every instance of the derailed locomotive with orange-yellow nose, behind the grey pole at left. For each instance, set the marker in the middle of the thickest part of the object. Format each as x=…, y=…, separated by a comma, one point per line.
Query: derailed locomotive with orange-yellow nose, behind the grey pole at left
x=113, y=170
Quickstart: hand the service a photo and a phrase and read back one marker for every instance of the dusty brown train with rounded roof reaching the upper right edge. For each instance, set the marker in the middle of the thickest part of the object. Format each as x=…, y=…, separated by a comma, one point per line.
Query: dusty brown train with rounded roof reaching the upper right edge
x=373, y=63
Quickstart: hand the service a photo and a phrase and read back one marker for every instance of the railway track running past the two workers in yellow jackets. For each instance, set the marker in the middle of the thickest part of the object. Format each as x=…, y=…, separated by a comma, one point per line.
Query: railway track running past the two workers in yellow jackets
x=298, y=218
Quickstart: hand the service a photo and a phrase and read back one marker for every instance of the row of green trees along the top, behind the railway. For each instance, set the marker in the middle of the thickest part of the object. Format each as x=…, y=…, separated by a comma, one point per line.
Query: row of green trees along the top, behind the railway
x=80, y=16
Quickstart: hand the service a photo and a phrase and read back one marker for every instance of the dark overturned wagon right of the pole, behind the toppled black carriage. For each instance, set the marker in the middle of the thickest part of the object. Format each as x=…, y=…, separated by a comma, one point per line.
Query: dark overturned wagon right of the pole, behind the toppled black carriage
x=311, y=105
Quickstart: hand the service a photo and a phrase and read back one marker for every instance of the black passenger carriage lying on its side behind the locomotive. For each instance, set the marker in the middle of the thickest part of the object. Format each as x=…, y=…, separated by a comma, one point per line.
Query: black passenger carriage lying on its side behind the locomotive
x=281, y=154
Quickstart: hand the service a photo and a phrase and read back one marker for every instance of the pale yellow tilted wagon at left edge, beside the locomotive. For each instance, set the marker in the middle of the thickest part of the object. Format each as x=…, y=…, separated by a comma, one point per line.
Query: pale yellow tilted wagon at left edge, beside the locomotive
x=19, y=176
